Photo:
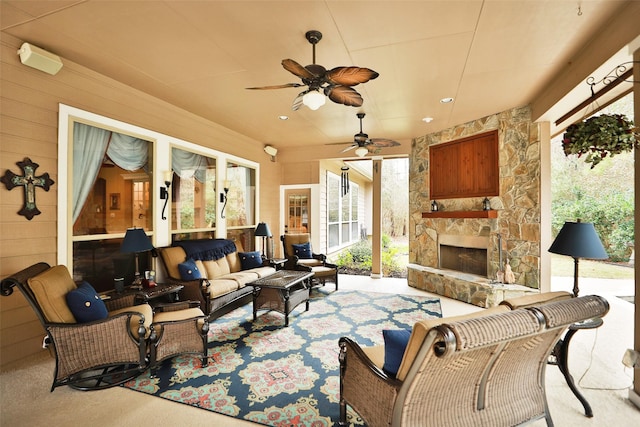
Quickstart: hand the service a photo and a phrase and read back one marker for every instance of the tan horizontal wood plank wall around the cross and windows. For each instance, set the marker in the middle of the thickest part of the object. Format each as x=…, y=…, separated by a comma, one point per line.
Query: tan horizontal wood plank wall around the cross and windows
x=29, y=128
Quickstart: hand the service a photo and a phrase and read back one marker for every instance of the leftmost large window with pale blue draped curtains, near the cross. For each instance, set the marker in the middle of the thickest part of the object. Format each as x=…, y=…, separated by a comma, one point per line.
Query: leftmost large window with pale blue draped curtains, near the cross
x=111, y=192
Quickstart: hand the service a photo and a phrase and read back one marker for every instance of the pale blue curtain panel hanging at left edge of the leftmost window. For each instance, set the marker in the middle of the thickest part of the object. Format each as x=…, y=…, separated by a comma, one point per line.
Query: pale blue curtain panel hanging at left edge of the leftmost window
x=89, y=146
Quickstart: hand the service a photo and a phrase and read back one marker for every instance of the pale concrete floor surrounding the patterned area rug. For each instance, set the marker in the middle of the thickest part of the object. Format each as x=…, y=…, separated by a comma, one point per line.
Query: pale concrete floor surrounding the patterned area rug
x=594, y=360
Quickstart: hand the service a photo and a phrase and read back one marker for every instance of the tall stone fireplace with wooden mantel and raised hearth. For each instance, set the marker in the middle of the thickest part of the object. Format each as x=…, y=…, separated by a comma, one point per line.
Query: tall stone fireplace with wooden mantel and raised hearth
x=456, y=251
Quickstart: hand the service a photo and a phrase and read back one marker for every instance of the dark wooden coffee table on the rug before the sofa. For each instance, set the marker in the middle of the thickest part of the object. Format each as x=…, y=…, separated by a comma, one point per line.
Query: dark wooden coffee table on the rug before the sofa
x=282, y=292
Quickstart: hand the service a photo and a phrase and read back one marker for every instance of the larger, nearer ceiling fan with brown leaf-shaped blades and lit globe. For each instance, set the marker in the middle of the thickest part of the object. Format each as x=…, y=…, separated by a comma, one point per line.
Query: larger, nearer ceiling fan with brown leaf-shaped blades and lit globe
x=335, y=83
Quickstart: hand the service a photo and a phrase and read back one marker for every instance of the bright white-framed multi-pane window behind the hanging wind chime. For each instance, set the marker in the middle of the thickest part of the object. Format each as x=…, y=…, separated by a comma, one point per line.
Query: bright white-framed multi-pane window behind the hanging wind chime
x=342, y=213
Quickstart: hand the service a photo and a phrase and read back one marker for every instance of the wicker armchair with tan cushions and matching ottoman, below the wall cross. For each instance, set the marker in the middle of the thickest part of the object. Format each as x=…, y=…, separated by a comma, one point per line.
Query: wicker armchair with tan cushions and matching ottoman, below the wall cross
x=103, y=353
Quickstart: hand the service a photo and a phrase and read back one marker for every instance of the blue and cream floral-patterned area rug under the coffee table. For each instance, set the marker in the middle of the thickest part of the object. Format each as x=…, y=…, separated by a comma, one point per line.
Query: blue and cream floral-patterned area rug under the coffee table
x=274, y=375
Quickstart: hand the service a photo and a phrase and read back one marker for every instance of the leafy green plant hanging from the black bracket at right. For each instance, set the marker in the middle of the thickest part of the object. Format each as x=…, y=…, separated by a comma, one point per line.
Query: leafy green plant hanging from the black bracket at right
x=601, y=136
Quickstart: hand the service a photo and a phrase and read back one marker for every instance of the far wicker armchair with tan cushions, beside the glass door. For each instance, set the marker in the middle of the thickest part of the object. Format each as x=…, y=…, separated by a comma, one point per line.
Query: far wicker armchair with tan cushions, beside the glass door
x=323, y=271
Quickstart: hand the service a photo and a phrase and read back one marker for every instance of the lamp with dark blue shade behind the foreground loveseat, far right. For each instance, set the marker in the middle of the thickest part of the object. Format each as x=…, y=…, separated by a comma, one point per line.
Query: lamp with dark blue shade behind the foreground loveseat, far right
x=578, y=240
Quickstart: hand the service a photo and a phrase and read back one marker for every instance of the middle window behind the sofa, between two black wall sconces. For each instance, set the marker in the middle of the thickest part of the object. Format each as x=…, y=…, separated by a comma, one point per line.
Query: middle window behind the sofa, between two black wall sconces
x=193, y=195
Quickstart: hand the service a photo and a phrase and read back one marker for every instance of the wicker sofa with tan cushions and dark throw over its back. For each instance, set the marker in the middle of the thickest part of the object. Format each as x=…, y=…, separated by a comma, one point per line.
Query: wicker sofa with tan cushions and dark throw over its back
x=220, y=283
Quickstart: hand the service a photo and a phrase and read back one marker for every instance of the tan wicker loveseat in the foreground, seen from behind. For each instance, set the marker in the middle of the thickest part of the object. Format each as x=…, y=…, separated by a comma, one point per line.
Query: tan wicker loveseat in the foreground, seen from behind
x=487, y=368
